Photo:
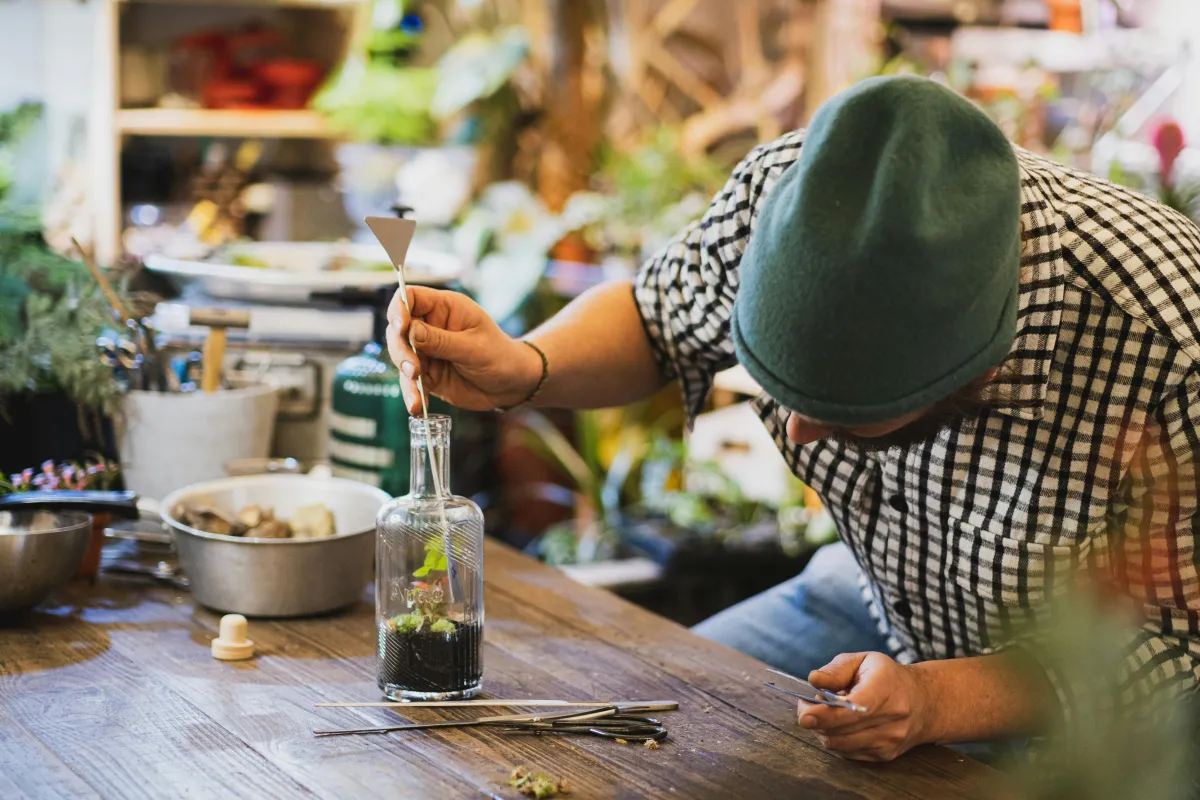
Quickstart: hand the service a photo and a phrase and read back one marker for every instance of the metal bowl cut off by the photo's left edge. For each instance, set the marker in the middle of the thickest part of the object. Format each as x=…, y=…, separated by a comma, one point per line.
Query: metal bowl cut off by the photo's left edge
x=39, y=554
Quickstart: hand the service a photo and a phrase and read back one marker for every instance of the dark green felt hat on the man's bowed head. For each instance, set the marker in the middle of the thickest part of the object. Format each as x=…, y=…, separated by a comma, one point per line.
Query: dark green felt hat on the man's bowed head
x=884, y=272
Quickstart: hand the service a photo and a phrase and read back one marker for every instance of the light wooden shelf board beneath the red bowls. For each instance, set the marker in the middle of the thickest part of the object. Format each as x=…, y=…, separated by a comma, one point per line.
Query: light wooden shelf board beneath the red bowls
x=185, y=123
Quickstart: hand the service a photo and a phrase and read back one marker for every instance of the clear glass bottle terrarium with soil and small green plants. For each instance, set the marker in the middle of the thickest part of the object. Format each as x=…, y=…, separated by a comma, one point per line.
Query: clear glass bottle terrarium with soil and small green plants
x=430, y=580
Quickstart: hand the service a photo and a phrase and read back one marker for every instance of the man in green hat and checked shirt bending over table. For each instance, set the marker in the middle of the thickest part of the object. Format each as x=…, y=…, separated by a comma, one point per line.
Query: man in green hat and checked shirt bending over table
x=985, y=363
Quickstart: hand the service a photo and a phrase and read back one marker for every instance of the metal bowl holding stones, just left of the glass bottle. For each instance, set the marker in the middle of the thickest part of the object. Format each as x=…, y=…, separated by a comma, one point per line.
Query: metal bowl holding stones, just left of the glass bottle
x=279, y=578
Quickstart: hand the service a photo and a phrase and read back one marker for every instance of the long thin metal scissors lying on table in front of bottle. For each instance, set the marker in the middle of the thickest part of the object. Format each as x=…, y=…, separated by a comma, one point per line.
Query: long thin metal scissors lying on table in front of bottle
x=608, y=723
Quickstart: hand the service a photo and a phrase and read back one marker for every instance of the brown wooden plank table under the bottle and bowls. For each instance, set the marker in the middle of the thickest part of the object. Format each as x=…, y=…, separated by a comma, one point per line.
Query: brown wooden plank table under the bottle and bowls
x=113, y=694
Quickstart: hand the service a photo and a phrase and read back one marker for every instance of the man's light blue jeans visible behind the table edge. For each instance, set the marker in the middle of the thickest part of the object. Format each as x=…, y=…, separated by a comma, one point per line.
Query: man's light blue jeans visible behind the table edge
x=801, y=625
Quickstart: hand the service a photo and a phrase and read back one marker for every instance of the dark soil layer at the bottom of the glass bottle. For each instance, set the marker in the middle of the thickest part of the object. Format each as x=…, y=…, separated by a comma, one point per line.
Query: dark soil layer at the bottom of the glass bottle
x=430, y=661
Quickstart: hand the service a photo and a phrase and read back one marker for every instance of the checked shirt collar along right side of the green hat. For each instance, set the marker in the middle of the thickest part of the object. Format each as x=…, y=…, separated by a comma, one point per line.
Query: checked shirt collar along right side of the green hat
x=1025, y=372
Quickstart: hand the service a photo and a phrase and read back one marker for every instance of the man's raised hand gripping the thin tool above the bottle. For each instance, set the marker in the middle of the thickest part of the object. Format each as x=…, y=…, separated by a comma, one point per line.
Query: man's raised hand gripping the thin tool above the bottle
x=463, y=354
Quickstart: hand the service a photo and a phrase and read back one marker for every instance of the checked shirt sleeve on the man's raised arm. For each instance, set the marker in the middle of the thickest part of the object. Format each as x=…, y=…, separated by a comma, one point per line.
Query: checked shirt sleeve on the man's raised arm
x=686, y=292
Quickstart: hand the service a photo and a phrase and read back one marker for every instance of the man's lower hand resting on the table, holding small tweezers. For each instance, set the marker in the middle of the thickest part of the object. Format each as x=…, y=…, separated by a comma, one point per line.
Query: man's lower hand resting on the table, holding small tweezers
x=898, y=701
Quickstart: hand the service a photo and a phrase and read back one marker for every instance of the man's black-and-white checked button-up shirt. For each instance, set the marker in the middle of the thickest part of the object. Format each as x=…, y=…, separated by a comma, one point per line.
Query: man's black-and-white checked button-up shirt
x=962, y=537
